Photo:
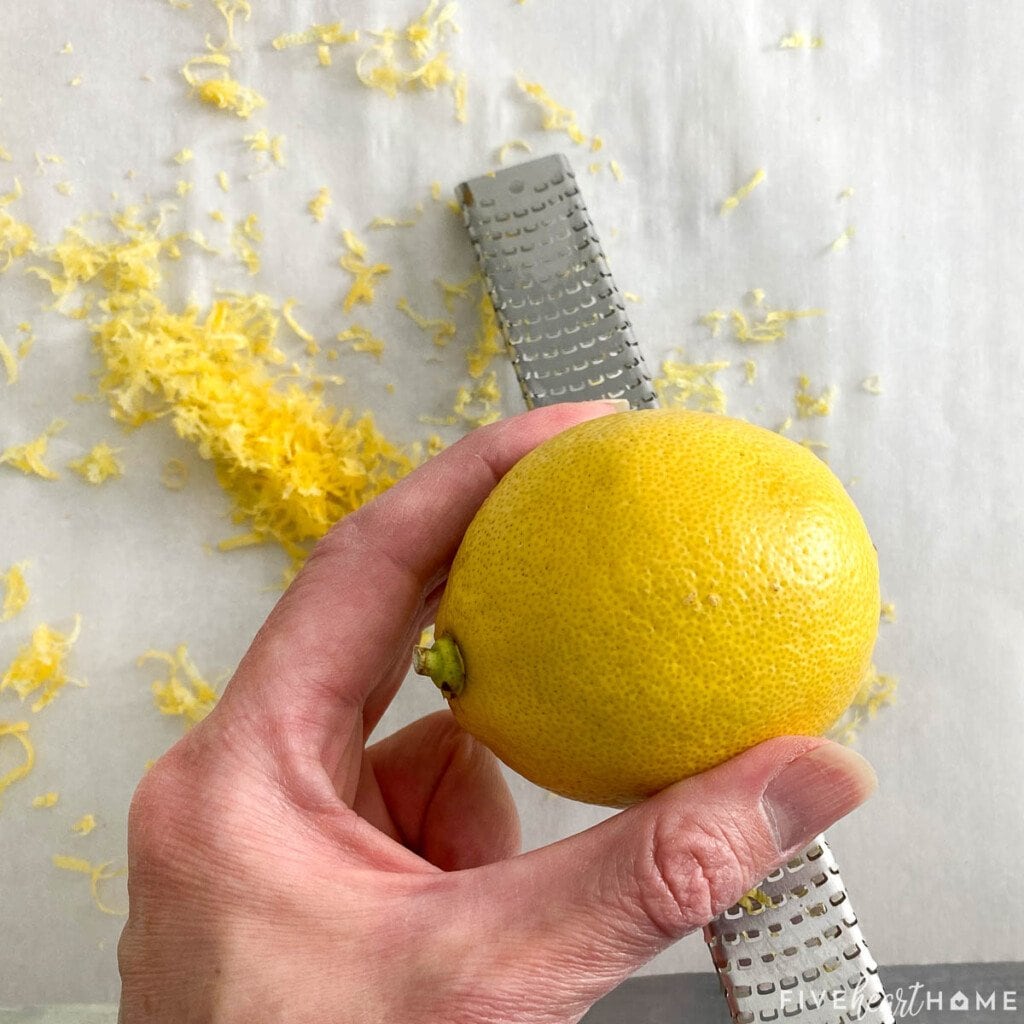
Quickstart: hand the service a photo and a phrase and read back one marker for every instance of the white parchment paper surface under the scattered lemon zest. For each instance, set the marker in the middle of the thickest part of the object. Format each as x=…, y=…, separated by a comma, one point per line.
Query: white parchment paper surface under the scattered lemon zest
x=916, y=106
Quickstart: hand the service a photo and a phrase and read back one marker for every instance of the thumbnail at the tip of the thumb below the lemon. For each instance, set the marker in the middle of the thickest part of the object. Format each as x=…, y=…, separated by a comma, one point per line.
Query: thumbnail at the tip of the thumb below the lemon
x=815, y=791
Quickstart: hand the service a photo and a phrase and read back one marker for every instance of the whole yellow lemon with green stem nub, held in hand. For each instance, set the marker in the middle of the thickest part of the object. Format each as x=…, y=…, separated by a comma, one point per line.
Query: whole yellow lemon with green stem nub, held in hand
x=650, y=593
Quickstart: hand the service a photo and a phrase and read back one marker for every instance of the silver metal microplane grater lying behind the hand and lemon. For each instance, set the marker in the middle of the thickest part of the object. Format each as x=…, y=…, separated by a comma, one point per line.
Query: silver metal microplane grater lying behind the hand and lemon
x=570, y=339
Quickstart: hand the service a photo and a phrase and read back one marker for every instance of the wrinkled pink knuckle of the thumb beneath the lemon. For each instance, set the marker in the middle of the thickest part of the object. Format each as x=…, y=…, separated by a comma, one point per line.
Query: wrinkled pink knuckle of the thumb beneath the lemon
x=697, y=870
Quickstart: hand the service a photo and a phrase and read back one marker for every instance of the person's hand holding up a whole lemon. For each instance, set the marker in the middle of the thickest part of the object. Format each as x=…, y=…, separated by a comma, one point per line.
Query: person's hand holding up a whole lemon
x=280, y=870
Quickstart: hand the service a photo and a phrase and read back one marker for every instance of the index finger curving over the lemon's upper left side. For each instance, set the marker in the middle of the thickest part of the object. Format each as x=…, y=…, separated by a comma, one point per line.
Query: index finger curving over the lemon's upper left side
x=344, y=632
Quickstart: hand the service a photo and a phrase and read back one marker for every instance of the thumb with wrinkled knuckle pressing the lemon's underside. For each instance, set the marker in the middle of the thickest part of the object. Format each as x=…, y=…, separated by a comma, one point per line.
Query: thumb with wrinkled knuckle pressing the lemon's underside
x=584, y=914
